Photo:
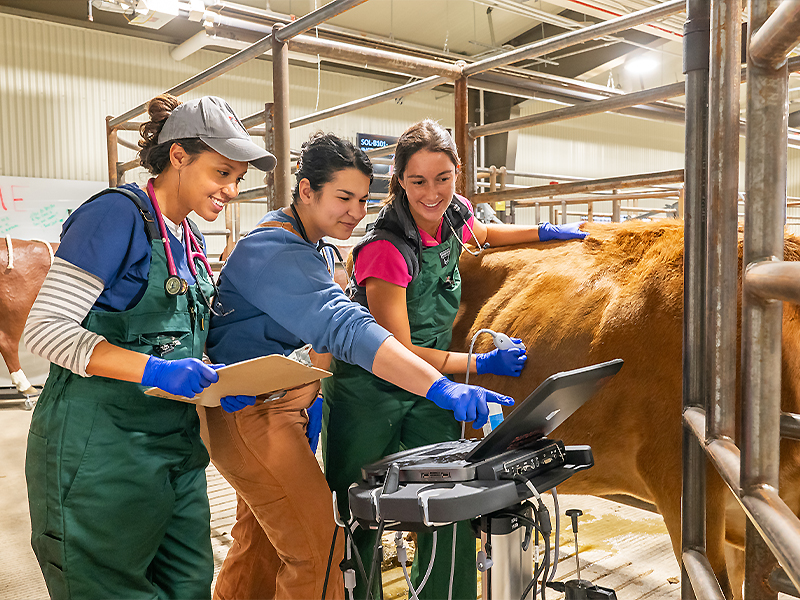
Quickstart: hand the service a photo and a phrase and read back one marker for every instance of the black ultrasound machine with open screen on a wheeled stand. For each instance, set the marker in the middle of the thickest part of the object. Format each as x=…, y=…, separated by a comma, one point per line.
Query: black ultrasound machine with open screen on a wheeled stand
x=489, y=482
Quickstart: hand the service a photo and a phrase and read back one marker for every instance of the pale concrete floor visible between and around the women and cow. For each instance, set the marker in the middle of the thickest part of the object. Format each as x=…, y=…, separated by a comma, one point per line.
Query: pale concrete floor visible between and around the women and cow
x=624, y=548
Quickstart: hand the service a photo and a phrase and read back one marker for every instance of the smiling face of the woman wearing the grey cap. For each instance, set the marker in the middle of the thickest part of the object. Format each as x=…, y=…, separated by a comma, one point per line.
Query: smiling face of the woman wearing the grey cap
x=208, y=182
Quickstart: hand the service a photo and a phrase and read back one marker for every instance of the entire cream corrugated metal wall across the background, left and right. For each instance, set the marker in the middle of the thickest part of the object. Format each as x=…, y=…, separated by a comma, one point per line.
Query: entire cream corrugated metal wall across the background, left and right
x=58, y=82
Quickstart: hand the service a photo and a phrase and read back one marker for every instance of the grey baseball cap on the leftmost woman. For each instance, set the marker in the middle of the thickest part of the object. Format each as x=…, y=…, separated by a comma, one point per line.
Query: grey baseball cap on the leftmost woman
x=214, y=122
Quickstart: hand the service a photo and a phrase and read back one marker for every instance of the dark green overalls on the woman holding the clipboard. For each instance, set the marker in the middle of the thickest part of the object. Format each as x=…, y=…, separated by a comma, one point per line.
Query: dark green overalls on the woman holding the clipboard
x=116, y=479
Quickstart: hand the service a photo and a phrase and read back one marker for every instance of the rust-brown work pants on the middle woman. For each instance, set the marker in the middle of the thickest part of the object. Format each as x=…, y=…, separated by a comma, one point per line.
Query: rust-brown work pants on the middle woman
x=284, y=517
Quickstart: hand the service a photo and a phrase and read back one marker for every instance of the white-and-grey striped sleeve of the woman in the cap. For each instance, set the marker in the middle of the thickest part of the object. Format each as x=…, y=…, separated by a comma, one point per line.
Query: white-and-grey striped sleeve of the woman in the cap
x=53, y=330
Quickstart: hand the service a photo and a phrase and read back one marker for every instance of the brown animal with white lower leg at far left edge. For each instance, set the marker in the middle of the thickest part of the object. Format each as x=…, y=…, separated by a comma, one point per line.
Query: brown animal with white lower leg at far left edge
x=23, y=266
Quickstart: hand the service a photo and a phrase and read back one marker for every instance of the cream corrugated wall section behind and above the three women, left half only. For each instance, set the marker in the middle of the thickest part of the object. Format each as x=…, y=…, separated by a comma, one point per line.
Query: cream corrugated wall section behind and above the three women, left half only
x=58, y=82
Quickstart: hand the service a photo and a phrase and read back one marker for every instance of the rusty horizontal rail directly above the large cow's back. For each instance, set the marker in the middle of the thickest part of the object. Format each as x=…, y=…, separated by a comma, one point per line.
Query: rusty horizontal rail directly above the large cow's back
x=590, y=185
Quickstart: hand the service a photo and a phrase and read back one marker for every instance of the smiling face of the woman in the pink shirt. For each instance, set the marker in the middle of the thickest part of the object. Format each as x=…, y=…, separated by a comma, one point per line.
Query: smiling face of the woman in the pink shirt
x=430, y=182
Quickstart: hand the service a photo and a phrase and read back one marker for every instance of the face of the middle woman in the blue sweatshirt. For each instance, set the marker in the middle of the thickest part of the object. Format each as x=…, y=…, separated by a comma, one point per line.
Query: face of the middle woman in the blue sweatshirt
x=337, y=208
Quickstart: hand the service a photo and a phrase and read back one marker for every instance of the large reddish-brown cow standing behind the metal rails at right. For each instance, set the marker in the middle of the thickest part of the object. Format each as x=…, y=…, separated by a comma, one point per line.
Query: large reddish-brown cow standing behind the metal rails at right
x=618, y=294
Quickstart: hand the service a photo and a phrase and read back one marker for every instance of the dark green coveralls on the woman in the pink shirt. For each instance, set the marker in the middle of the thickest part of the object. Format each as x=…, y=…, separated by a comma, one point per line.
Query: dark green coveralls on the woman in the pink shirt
x=366, y=418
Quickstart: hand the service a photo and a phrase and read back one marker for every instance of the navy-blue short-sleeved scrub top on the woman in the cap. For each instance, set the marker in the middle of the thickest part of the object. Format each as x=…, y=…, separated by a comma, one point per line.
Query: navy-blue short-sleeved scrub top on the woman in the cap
x=107, y=238
